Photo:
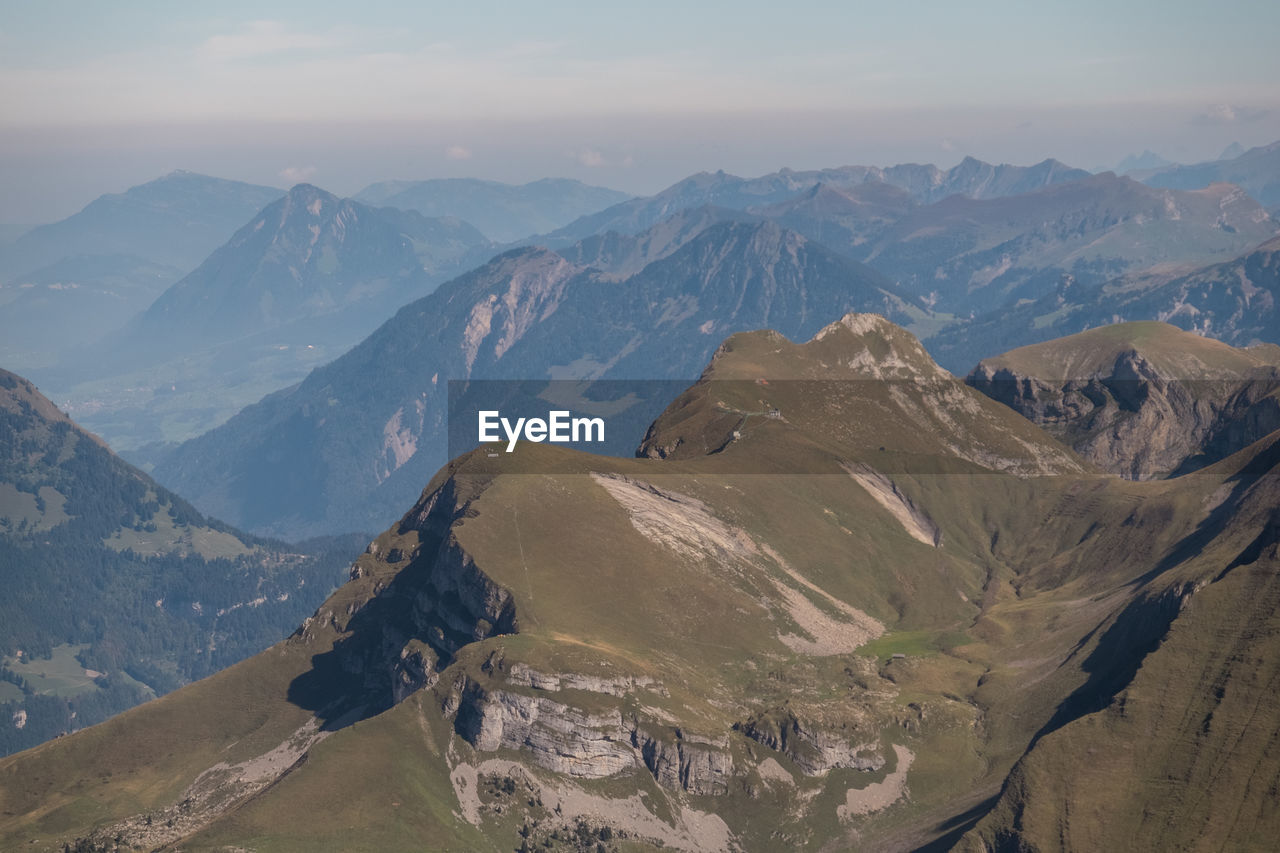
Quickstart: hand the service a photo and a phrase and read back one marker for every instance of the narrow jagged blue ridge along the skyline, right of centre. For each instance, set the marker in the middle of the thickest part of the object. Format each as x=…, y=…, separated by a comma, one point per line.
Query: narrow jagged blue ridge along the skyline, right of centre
x=925, y=184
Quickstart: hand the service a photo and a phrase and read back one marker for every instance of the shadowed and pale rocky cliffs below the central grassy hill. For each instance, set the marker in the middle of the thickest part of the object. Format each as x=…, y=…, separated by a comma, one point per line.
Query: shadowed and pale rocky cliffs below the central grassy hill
x=423, y=608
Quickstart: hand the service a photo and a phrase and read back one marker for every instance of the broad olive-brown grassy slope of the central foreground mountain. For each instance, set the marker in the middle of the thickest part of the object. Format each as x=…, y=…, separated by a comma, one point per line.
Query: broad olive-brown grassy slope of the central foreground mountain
x=996, y=624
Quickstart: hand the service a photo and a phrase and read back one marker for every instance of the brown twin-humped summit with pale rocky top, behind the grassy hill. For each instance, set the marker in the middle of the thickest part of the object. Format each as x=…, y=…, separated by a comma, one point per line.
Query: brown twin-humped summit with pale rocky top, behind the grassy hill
x=861, y=387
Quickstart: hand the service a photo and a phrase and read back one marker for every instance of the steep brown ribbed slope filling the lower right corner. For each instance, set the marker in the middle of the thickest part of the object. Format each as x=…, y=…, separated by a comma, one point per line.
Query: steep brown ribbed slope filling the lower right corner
x=1185, y=755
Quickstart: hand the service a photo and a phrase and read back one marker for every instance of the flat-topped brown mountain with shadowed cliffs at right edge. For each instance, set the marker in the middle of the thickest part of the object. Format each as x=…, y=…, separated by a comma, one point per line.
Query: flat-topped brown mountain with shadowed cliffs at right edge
x=1142, y=400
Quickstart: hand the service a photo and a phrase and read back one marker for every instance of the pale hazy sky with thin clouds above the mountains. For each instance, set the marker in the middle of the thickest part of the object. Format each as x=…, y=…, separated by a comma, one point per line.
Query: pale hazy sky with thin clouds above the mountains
x=99, y=97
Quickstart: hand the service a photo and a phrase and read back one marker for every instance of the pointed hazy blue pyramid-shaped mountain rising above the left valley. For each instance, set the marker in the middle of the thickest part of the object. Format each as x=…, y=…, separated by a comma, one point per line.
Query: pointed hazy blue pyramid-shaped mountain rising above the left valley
x=296, y=286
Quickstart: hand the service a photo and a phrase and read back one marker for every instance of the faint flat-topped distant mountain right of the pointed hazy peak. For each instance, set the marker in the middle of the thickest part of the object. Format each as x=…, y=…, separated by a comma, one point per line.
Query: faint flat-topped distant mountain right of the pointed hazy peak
x=501, y=211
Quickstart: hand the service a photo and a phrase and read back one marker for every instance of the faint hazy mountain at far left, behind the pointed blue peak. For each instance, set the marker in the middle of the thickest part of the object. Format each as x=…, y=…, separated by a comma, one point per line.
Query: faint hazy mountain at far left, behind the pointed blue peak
x=175, y=221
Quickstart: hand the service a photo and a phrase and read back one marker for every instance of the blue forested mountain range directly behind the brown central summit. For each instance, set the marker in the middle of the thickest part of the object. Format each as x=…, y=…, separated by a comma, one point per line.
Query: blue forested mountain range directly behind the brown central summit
x=651, y=305
